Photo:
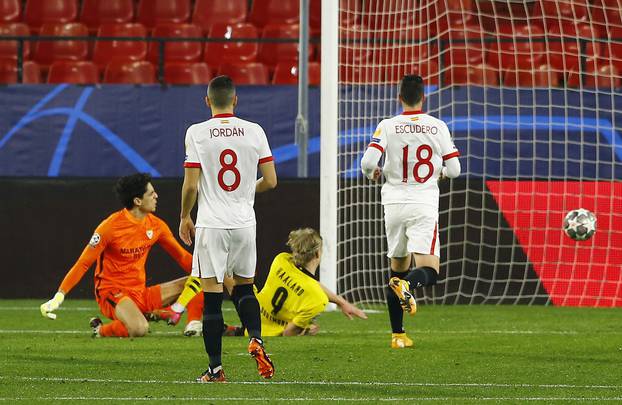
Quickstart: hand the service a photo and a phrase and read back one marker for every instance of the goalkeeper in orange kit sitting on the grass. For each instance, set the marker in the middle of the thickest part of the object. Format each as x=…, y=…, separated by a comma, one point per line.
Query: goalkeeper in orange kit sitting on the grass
x=119, y=247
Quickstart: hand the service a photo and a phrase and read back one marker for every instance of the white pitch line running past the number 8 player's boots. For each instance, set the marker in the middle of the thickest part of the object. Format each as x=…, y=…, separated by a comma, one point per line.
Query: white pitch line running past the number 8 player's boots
x=334, y=383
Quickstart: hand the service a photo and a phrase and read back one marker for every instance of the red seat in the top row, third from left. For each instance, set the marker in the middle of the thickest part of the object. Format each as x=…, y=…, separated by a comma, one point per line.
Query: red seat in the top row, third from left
x=97, y=12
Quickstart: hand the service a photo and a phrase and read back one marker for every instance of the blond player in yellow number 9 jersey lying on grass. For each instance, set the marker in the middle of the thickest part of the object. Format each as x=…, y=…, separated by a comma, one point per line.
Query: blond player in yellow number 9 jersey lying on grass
x=292, y=297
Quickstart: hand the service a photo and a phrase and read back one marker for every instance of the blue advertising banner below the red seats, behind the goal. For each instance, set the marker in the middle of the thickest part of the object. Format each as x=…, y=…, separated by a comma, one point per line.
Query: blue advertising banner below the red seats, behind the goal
x=113, y=130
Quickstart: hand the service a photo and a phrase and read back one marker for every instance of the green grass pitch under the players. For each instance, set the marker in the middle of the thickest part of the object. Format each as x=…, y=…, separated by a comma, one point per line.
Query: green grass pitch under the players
x=462, y=354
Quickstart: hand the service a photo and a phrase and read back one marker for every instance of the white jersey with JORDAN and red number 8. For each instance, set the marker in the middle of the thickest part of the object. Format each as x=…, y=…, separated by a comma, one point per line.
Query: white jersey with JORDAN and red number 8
x=228, y=150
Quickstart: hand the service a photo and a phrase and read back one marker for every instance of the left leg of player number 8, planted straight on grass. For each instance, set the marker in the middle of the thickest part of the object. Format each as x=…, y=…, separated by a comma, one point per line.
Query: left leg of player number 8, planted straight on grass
x=209, y=263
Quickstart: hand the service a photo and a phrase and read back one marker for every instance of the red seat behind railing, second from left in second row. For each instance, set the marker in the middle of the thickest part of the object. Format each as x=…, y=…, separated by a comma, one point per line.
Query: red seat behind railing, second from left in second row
x=47, y=52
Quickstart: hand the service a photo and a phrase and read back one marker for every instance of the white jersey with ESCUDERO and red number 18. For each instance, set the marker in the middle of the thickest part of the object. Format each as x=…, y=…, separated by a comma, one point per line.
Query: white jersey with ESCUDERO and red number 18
x=415, y=145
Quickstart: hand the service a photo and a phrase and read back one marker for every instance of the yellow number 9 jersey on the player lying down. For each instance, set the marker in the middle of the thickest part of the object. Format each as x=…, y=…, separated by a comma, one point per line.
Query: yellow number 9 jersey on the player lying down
x=290, y=294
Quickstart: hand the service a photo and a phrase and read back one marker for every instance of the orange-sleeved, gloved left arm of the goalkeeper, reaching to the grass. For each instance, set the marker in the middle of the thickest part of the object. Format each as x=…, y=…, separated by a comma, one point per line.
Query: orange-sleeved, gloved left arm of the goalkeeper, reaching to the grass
x=89, y=255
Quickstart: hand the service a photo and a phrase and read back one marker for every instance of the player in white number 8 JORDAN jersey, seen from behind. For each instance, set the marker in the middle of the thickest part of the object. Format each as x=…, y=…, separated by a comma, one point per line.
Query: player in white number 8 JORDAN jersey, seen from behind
x=222, y=155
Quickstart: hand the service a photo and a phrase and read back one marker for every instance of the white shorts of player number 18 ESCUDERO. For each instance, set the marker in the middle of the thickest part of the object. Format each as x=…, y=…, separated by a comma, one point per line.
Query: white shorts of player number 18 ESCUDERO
x=411, y=228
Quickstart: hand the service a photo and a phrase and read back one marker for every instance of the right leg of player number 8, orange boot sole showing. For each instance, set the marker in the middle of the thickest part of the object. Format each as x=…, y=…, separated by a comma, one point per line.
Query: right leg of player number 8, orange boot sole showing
x=241, y=262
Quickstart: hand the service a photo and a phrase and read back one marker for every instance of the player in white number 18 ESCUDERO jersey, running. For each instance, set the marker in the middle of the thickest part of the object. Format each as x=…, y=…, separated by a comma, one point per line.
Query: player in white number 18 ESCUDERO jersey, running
x=418, y=151
